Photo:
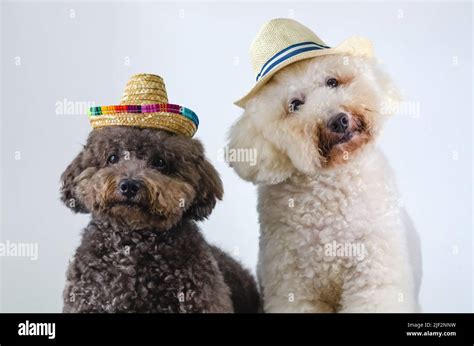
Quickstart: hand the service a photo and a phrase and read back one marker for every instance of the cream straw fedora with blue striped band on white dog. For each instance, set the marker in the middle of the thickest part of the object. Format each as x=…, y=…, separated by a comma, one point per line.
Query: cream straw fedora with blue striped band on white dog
x=282, y=42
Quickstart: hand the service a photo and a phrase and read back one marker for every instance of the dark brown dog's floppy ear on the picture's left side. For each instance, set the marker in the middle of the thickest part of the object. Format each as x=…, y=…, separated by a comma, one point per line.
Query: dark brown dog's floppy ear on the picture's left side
x=69, y=184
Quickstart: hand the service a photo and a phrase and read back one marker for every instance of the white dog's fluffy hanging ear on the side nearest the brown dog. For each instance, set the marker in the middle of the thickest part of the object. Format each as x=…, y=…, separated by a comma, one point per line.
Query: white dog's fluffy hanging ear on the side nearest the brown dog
x=253, y=157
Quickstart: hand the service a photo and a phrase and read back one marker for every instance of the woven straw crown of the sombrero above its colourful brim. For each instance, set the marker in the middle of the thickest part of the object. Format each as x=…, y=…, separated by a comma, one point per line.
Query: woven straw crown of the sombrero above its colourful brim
x=143, y=89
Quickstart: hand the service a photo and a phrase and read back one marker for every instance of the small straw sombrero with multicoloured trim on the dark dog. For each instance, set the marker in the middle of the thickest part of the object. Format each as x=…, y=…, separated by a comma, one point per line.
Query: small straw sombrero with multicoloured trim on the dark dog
x=145, y=104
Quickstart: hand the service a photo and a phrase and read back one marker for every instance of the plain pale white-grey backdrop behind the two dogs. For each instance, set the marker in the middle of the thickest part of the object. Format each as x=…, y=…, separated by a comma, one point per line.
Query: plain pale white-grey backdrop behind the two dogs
x=201, y=50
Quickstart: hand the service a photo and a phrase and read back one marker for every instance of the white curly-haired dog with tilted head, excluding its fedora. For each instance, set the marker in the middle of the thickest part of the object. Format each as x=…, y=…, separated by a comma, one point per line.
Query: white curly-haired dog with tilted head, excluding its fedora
x=323, y=191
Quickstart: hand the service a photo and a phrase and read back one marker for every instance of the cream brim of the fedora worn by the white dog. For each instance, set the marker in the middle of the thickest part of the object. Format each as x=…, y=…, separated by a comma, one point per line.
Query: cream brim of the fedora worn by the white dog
x=355, y=46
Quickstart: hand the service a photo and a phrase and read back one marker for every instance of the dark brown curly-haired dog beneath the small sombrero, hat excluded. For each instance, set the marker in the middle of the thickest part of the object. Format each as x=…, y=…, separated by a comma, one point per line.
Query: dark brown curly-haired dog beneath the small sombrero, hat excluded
x=142, y=251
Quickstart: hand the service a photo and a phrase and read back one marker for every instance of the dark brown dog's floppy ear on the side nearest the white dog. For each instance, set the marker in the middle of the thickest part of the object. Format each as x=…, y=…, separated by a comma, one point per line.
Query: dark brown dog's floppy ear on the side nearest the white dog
x=208, y=191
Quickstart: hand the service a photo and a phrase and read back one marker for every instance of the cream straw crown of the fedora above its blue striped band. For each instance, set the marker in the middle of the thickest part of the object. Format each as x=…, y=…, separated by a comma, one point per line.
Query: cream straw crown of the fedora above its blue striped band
x=277, y=35
